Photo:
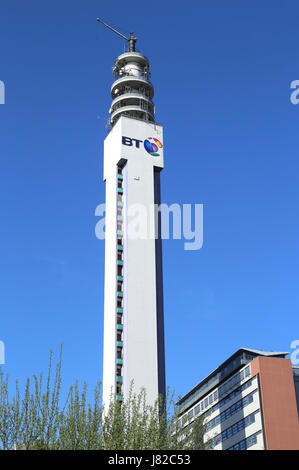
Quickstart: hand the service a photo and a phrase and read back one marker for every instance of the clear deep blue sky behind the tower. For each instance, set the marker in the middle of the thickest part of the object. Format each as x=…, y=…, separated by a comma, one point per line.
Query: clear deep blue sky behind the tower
x=222, y=74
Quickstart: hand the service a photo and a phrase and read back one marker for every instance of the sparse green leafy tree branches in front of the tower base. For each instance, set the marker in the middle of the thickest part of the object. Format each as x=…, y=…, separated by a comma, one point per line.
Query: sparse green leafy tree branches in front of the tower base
x=38, y=420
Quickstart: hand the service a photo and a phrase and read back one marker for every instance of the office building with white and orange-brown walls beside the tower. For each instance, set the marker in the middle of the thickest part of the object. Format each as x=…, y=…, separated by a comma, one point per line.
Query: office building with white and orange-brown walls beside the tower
x=249, y=402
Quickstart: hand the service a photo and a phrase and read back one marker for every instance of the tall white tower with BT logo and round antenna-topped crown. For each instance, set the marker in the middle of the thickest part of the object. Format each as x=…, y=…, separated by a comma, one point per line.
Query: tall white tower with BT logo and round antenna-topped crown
x=133, y=159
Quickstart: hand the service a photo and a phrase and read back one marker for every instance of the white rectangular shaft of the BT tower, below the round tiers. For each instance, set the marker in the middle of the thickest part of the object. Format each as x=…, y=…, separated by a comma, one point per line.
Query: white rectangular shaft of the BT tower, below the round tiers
x=140, y=356
